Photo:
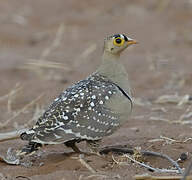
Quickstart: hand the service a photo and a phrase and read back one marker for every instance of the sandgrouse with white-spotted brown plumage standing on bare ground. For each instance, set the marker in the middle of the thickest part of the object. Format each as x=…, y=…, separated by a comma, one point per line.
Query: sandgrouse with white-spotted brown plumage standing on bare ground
x=90, y=109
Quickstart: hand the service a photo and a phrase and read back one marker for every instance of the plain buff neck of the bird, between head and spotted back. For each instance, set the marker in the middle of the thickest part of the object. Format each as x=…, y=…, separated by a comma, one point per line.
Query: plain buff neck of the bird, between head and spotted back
x=112, y=68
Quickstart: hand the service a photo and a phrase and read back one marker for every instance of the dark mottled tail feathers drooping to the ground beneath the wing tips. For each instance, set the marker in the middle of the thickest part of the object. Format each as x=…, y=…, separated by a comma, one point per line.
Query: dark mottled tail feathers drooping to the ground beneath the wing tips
x=30, y=148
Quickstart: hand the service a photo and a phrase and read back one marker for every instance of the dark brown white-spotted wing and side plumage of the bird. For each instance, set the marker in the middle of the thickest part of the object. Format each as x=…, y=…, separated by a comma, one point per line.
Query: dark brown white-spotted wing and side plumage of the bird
x=80, y=112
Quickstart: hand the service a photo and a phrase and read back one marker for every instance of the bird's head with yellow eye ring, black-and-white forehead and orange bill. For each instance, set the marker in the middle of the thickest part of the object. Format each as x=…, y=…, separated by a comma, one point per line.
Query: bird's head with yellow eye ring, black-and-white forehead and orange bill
x=116, y=43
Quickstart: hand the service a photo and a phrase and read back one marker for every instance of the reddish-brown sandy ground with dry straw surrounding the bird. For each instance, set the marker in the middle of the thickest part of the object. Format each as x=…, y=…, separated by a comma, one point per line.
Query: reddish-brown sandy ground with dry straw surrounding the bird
x=71, y=32
